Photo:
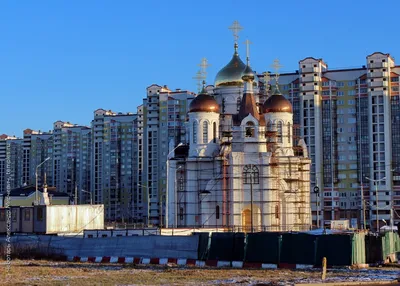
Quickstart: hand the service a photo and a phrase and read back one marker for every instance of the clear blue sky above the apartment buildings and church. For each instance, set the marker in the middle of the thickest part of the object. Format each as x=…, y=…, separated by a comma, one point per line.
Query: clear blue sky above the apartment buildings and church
x=61, y=60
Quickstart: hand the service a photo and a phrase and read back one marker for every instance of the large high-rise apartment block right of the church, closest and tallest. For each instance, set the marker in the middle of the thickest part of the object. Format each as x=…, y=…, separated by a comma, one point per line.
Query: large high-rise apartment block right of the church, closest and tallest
x=350, y=121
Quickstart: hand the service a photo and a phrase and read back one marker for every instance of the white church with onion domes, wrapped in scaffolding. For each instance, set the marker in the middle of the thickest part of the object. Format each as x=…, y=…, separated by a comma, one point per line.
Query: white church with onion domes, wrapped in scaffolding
x=243, y=170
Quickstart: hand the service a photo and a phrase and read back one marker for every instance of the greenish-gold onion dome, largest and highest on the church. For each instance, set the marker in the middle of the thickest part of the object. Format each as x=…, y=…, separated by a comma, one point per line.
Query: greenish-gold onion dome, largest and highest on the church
x=231, y=74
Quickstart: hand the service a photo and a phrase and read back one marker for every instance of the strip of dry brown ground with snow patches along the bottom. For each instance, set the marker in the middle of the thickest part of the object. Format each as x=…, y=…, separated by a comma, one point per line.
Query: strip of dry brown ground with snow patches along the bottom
x=31, y=272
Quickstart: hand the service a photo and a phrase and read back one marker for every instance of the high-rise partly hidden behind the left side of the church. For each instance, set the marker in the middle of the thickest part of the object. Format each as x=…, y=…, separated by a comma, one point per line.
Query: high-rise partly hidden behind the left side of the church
x=161, y=123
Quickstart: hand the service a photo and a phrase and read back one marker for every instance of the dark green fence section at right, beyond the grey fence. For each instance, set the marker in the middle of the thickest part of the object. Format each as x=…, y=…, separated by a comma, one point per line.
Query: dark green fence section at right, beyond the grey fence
x=301, y=248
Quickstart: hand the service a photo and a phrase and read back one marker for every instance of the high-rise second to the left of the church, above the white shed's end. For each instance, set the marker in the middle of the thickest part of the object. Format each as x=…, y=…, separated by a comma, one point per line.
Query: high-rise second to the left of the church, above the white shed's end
x=113, y=160
